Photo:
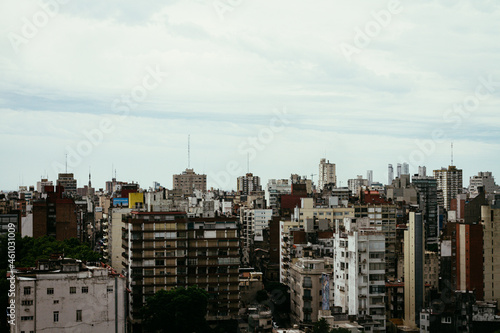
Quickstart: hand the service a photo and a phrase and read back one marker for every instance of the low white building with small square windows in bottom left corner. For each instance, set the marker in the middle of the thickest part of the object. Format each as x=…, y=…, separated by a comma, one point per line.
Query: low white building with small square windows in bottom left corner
x=65, y=296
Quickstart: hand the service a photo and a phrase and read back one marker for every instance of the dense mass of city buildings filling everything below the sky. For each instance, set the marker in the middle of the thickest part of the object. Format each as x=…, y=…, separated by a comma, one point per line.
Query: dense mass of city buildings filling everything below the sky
x=414, y=255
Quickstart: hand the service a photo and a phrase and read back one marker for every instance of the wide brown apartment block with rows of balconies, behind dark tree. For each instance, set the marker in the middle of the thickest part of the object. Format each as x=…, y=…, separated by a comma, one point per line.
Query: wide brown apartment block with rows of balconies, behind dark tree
x=166, y=250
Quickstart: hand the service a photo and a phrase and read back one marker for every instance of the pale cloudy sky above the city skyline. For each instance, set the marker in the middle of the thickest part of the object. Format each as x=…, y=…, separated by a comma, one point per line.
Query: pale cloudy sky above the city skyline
x=282, y=83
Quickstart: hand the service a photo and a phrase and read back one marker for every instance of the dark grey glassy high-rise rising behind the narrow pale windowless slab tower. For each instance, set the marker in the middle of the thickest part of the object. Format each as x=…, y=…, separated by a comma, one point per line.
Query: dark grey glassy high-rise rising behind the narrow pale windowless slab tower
x=427, y=200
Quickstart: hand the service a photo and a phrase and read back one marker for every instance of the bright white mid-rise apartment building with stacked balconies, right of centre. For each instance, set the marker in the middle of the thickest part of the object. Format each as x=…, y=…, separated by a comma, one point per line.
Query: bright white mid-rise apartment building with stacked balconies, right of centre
x=359, y=271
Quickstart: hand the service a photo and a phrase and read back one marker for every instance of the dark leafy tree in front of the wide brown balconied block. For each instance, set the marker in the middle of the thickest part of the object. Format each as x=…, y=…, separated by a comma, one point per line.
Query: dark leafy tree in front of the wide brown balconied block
x=177, y=310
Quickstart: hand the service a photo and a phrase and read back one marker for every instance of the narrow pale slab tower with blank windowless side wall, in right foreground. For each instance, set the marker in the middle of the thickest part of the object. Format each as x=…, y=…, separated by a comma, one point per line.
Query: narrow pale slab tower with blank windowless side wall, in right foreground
x=414, y=269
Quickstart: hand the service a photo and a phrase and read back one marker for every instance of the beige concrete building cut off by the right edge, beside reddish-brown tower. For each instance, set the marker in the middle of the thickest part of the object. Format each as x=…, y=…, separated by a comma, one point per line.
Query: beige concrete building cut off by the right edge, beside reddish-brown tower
x=491, y=249
